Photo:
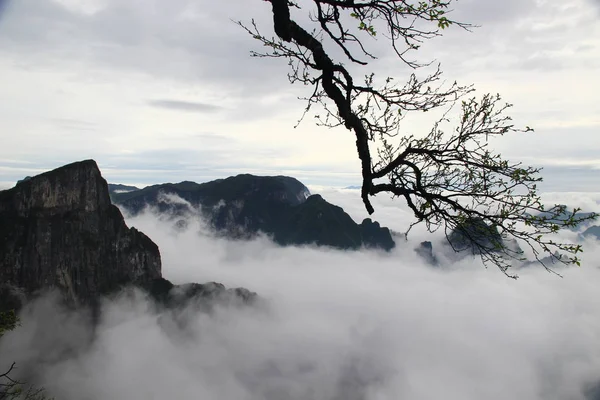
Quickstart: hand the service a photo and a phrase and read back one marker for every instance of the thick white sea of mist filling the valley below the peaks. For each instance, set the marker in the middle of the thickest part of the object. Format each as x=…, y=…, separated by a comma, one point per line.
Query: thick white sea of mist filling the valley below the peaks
x=330, y=325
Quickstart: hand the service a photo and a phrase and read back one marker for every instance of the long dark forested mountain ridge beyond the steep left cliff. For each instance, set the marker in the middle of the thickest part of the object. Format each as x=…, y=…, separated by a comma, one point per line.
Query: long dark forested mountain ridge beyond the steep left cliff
x=280, y=206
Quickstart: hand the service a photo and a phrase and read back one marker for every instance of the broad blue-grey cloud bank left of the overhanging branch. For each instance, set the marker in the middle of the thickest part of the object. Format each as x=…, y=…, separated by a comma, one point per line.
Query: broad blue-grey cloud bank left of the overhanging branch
x=177, y=42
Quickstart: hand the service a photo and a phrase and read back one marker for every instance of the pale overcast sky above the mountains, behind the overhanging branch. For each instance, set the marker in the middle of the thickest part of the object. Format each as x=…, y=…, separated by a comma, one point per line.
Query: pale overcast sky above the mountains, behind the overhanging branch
x=159, y=91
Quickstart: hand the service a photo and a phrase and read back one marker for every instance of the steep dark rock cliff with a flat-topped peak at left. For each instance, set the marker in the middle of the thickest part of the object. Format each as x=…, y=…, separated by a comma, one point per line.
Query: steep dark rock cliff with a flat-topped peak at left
x=60, y=230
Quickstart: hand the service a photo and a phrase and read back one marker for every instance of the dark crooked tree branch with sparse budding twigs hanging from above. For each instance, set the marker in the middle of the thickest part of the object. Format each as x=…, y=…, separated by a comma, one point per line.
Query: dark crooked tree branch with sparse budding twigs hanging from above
x=448, y=176
